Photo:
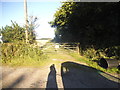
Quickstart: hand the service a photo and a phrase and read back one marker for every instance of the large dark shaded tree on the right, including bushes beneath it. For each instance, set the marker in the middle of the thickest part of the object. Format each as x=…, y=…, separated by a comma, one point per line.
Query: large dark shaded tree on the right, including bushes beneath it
x=91, y=24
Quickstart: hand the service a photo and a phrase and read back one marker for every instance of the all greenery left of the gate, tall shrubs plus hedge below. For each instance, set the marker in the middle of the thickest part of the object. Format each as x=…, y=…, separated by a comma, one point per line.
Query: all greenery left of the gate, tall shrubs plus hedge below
x=14, y=49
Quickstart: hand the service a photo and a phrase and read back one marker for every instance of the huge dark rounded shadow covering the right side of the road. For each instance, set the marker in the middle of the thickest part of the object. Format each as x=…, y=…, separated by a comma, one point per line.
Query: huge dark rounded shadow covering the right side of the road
x=75, y=75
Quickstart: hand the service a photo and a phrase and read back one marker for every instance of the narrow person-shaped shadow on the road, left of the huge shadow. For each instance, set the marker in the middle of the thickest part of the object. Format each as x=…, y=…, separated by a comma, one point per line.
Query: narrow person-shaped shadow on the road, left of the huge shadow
x=51, y=82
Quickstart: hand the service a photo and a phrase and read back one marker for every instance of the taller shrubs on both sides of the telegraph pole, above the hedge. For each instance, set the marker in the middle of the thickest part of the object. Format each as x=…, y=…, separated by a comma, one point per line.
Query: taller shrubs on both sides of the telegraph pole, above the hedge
x=16, y=33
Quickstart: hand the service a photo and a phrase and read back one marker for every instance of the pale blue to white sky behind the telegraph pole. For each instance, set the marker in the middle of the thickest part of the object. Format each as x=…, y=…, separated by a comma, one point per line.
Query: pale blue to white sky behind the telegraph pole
x=44, y=10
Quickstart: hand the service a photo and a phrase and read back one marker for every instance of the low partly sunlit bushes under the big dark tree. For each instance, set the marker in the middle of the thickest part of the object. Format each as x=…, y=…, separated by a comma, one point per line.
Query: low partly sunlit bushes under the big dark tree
x=111, y=52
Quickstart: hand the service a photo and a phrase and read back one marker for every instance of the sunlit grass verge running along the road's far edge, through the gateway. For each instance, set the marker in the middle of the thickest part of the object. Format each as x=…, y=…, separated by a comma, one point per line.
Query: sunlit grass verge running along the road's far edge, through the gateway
x=50, y=56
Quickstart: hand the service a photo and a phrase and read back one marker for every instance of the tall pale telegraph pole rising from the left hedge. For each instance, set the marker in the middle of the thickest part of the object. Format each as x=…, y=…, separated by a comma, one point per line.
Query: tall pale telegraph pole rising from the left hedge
x=26, y=19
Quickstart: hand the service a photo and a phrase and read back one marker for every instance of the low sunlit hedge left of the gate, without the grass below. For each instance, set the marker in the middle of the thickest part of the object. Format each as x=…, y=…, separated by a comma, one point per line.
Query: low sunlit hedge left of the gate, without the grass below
x=11, y=51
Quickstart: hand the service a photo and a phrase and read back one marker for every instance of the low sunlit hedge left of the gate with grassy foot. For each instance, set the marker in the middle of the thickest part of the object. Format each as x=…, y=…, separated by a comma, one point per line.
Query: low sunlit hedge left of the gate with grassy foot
x=21, y=53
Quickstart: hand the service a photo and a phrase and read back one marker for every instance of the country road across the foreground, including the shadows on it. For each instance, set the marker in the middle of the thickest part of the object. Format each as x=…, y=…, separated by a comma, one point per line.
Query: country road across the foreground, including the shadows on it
x=57, y=76
